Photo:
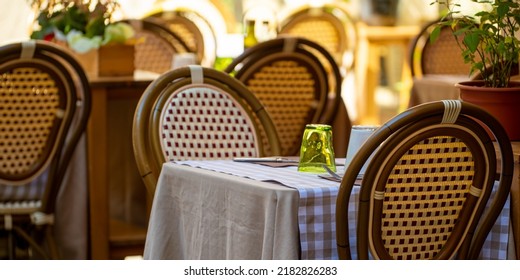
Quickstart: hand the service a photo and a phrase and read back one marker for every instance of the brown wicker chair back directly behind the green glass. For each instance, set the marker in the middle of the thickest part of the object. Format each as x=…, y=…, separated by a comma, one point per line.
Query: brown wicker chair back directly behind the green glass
x=252, y=66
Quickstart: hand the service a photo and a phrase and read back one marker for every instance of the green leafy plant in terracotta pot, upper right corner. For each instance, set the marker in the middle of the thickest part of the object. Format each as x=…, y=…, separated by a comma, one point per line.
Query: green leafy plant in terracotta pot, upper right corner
x=488, y=43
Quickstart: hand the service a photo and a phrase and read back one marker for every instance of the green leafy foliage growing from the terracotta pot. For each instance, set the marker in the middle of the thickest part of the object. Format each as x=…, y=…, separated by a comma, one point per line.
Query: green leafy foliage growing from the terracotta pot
x=488, y=42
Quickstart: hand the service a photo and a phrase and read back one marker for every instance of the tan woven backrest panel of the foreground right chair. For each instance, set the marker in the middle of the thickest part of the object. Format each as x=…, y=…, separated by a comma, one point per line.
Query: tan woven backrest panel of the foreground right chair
x=409, y=198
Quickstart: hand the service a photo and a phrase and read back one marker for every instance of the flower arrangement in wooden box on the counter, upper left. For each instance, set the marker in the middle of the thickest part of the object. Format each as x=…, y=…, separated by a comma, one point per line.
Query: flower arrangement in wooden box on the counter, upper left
x=86, y=27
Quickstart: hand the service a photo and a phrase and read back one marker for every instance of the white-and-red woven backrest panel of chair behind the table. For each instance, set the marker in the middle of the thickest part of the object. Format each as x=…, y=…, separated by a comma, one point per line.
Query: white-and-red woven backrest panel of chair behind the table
x=202, y=123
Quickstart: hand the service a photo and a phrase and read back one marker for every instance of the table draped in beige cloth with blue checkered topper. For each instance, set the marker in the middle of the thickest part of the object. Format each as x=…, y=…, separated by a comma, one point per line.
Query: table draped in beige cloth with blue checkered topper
x=259, y=212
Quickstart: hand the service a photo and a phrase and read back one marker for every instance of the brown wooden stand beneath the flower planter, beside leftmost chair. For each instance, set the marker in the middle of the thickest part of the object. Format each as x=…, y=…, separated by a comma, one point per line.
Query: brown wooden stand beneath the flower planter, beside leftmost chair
x=112, y=165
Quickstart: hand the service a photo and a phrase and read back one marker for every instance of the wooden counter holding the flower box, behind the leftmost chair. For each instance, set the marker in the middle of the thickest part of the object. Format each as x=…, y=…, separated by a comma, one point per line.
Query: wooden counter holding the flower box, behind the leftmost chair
x=112, y=164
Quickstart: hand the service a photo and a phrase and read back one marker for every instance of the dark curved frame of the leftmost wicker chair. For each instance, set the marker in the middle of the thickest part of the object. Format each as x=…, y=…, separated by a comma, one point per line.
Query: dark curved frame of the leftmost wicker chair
x=70, y=82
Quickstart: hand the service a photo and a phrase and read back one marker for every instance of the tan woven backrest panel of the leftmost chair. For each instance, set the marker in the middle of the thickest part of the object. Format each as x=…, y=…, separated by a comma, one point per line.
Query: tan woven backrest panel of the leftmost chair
x=29, y=106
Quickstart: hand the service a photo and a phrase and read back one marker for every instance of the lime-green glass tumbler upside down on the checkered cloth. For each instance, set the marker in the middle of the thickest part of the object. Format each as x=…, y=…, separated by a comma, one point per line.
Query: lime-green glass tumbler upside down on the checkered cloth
x=316, y=149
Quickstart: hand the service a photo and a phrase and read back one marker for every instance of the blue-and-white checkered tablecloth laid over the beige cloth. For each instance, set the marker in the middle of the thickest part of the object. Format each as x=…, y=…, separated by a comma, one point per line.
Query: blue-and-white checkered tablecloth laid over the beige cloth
x=317, y=206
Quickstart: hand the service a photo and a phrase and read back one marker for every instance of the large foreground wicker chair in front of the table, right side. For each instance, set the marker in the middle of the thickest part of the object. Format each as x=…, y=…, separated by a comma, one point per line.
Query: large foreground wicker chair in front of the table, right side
x=425, y=191
